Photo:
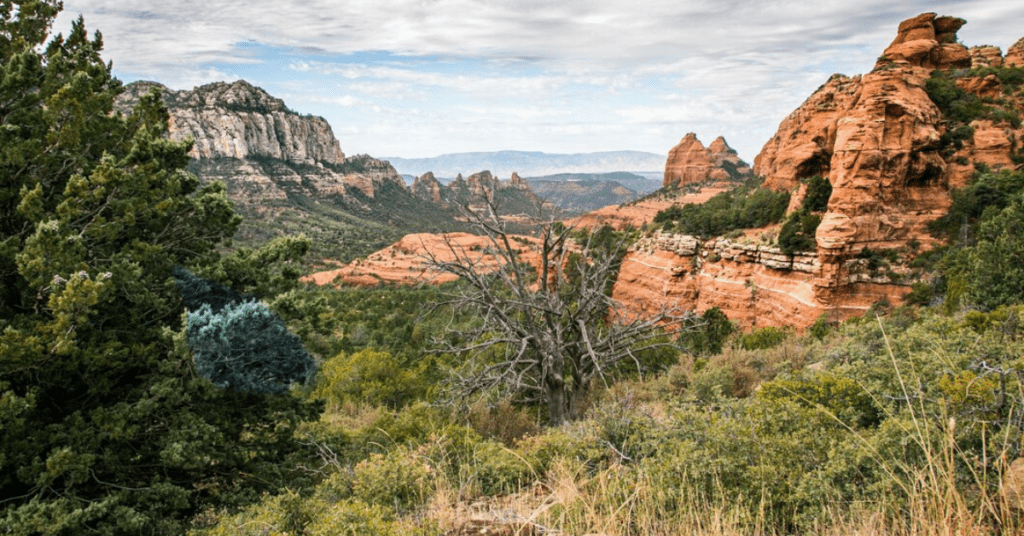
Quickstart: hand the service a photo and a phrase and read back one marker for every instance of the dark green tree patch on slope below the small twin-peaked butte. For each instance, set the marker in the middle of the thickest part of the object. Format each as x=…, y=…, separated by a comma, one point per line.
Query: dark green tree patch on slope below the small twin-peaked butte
x=746, y=208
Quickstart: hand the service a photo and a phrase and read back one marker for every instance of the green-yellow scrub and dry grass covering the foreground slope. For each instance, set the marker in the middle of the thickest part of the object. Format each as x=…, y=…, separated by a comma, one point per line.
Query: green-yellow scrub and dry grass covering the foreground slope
x=904, y=422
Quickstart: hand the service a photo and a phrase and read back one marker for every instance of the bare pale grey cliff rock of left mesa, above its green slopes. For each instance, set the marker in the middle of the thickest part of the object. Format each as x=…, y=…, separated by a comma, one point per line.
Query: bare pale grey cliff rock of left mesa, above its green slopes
x=261, y=149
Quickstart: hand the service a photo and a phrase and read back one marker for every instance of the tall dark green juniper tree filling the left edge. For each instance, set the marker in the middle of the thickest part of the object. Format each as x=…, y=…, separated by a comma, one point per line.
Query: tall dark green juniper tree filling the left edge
x=106, y=428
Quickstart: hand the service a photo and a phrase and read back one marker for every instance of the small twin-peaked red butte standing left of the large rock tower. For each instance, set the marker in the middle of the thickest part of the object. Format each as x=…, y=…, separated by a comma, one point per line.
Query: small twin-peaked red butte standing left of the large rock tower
x=692, y=163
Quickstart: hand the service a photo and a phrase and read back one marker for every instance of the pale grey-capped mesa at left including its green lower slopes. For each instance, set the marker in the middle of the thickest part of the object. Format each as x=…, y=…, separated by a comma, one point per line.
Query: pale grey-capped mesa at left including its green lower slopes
x=286, y=173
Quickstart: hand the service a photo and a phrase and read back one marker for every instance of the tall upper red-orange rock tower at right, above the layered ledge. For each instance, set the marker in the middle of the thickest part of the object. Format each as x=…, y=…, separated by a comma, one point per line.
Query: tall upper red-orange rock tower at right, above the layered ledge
x=877, y=139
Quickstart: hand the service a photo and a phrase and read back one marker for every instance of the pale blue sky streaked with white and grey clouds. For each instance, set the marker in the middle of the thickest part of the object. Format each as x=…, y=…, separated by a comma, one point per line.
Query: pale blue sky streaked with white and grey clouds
x=421, y=78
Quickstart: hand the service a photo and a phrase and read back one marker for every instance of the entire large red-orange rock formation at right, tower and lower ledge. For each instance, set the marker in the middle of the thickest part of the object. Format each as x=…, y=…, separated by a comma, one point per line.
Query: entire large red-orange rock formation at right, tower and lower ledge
x=879, y=141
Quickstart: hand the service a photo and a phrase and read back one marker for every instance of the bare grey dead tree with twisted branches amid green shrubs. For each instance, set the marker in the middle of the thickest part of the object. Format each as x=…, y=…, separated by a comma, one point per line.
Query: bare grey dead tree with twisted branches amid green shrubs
x=544, y=331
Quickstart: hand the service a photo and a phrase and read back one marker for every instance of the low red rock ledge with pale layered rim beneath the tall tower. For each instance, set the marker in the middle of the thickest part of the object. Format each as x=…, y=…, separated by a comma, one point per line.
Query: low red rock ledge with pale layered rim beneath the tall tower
x=753, y=282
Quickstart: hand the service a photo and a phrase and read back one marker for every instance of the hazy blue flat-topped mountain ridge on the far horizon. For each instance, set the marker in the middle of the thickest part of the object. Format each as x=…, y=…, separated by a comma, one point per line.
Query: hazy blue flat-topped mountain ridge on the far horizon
x=527, y=163
